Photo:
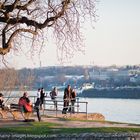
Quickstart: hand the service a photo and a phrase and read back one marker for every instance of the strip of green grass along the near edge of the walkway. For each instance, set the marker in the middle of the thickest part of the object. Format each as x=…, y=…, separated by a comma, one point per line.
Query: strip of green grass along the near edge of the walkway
x=46, y=128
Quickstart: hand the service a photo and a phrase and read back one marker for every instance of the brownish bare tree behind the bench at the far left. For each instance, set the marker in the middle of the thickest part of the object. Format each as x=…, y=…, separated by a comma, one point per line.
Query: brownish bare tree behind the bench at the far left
x=12, y=80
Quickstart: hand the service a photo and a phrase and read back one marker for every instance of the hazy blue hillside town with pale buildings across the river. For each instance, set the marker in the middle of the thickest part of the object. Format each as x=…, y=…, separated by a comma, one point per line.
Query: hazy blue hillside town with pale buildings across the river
x=77, y=76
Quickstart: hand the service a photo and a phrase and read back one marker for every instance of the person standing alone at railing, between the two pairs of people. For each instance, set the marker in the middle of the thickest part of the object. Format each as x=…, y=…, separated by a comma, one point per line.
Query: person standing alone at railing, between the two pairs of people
x=53, y=95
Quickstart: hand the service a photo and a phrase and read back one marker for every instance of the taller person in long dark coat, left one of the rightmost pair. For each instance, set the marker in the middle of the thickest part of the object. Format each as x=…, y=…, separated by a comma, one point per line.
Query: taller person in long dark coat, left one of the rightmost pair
x=67, y=99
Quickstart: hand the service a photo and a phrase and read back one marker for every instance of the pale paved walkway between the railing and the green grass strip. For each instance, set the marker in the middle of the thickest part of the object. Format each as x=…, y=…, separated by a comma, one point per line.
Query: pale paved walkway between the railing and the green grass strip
x=66, y=123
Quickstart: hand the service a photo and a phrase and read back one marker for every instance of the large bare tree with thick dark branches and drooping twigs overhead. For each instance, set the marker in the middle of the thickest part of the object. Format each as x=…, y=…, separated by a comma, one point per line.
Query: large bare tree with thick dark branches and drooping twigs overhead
x=33, y=20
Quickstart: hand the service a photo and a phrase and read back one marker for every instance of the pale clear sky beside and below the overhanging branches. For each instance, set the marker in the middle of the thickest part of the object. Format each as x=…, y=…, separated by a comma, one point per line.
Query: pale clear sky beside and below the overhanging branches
x=115, y=39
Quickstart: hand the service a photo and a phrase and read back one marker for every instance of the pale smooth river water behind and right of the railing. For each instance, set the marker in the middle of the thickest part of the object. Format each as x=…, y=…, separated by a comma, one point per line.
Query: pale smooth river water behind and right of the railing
x=120, y=110
